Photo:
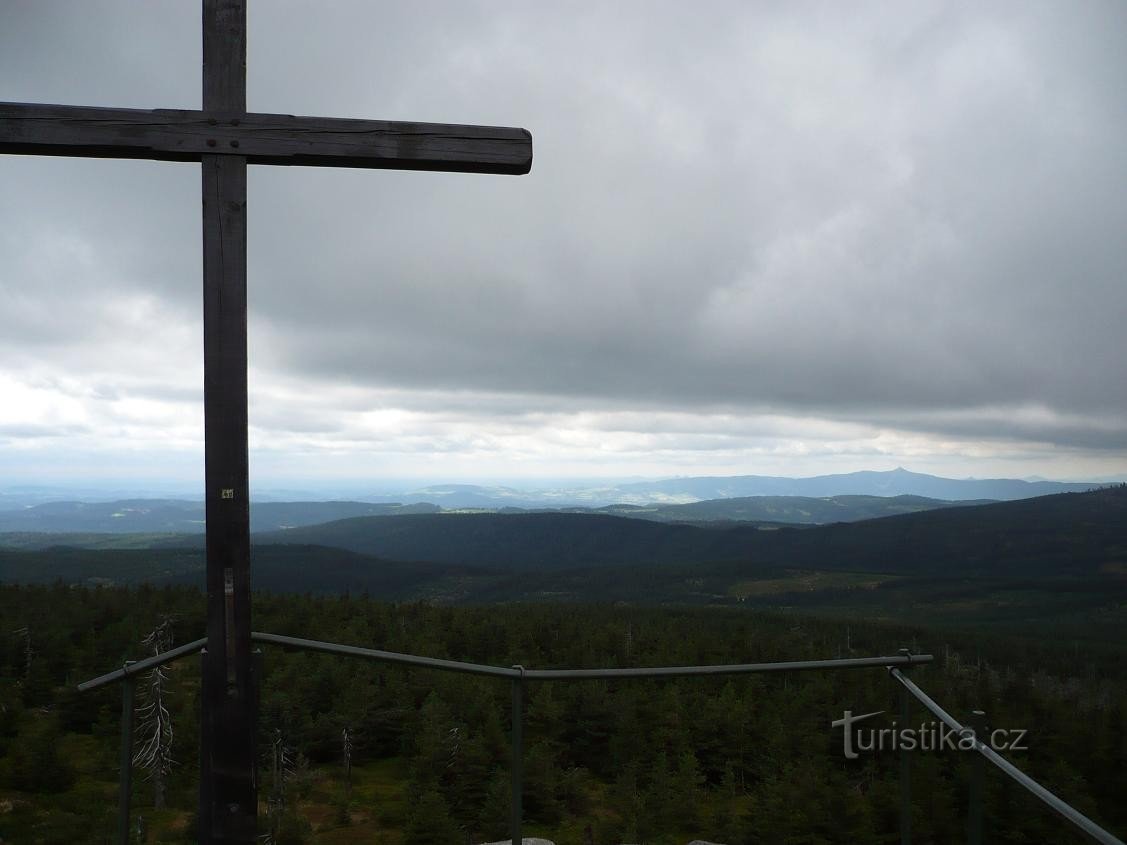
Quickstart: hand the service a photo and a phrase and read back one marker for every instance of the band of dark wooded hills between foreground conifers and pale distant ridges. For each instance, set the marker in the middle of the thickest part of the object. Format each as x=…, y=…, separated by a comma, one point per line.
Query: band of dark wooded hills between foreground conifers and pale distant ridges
x=1060, y=562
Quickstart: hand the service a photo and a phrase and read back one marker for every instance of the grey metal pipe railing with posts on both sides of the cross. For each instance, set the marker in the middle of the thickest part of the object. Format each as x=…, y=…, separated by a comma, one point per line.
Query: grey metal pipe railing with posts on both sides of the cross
x=519, y=677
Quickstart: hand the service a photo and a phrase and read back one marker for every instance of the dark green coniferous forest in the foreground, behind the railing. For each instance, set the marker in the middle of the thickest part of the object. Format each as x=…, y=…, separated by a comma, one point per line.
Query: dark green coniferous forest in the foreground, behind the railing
x=360, y=752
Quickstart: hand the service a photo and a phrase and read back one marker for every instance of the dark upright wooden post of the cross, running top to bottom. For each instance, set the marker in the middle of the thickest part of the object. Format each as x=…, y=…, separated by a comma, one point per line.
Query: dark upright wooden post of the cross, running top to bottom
x=228, y=789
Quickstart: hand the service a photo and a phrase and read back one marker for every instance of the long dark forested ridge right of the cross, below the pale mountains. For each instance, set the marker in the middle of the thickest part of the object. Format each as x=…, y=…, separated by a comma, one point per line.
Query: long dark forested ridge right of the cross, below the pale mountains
x=1068, y=533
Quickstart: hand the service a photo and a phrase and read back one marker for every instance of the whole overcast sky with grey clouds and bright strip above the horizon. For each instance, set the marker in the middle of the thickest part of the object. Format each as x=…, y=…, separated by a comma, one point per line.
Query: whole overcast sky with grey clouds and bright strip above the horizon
x=758, y=238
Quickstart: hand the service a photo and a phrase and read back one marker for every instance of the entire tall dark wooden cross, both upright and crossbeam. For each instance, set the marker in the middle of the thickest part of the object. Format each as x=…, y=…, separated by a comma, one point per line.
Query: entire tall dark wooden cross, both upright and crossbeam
x=225, y=139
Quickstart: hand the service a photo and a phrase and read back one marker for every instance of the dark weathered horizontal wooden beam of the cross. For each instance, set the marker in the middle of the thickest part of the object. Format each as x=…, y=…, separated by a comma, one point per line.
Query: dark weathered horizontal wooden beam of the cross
x=263, y=139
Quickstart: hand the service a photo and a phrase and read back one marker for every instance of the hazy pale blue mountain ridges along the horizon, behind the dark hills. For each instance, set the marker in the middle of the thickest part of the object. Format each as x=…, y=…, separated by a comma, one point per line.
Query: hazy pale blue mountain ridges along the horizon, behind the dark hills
x=700, y=500
